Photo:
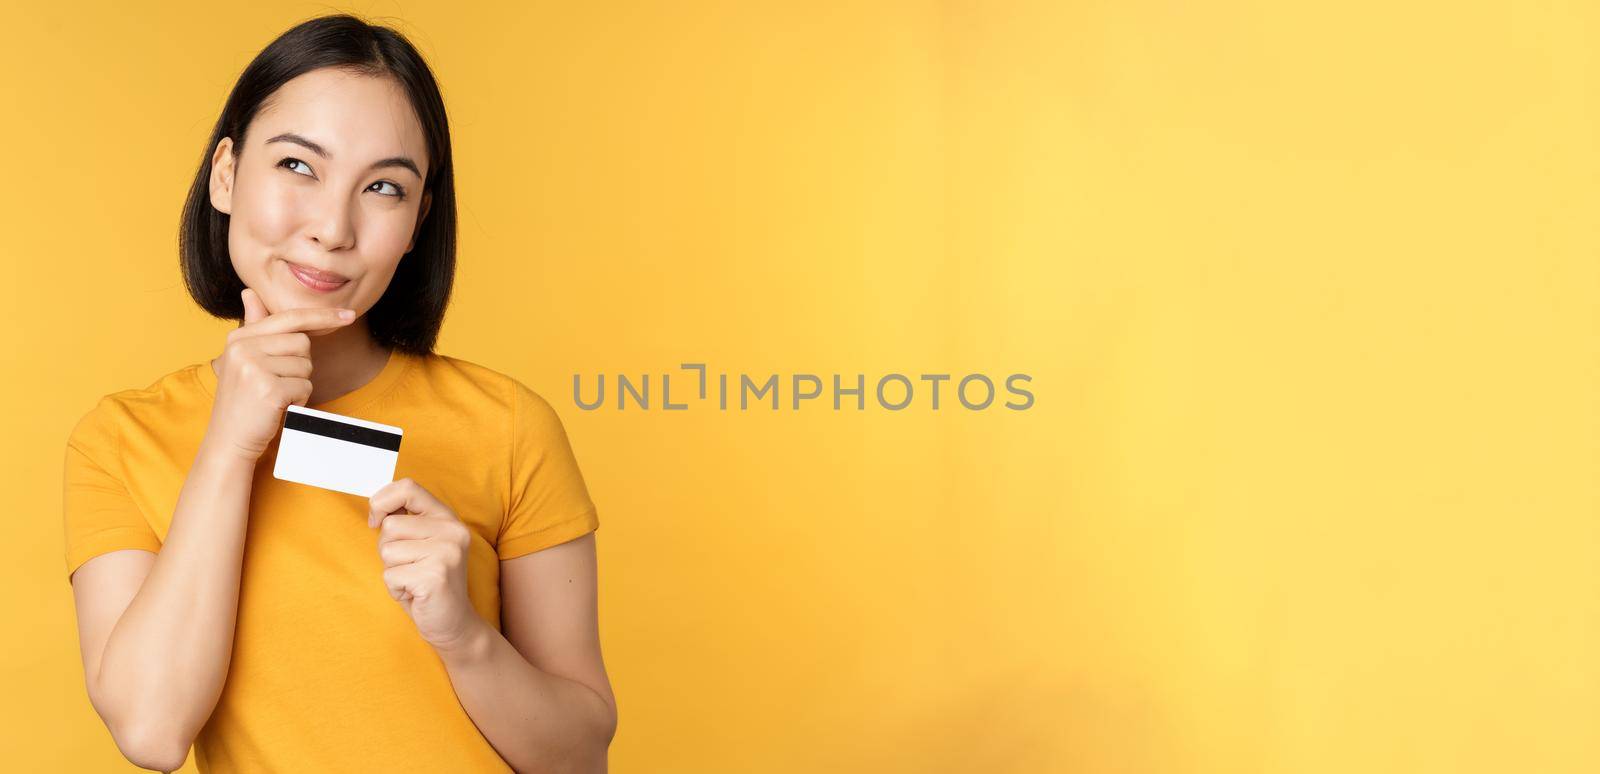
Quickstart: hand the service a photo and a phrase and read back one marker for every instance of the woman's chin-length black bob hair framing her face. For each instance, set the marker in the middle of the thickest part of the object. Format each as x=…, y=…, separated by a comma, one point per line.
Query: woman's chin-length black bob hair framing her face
x=412, y=309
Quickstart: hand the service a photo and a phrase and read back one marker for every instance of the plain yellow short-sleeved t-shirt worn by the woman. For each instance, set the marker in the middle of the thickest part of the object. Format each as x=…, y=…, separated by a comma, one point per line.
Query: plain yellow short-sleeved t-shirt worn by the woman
x=329, y=672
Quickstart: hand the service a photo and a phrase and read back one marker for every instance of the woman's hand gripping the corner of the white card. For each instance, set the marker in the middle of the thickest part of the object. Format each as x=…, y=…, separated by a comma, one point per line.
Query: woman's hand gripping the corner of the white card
x=425, y=551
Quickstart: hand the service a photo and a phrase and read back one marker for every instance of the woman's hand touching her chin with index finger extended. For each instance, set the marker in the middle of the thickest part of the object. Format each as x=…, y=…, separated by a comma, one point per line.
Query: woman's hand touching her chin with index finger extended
x=263, y=370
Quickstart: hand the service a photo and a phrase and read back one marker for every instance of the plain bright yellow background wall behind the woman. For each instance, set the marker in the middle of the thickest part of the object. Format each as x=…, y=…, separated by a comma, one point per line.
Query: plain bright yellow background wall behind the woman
x=1308, y=293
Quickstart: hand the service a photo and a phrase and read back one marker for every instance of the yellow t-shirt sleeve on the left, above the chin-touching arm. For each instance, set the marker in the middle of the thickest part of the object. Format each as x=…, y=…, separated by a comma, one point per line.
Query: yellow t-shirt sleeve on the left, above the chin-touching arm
x=100, y=516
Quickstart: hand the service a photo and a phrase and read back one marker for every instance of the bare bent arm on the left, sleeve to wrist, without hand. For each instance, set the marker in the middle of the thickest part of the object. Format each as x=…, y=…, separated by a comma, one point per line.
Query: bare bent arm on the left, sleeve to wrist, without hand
x=158, y=629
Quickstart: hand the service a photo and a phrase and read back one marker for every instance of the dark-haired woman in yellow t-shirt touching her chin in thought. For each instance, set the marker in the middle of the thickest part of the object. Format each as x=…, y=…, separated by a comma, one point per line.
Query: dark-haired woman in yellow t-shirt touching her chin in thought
x=449, y=623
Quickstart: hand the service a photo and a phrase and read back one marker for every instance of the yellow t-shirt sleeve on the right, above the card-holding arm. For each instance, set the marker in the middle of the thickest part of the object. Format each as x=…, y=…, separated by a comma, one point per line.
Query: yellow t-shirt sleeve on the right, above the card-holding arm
x=548, y=503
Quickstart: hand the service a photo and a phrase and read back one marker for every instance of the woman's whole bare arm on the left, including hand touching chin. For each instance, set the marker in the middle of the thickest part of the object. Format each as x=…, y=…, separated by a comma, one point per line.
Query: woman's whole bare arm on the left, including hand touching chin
x=158, y=634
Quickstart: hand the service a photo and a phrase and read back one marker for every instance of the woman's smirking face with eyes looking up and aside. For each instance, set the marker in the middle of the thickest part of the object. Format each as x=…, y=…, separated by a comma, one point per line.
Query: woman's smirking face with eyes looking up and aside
x=327, y=194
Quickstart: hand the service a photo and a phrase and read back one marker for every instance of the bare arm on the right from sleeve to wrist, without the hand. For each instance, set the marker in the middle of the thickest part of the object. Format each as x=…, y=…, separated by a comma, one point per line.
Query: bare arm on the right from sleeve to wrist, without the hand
x=540, y=692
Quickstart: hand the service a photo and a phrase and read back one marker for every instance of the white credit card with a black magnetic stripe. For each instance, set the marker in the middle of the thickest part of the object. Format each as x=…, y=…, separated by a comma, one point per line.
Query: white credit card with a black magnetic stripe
x=337, y=452
